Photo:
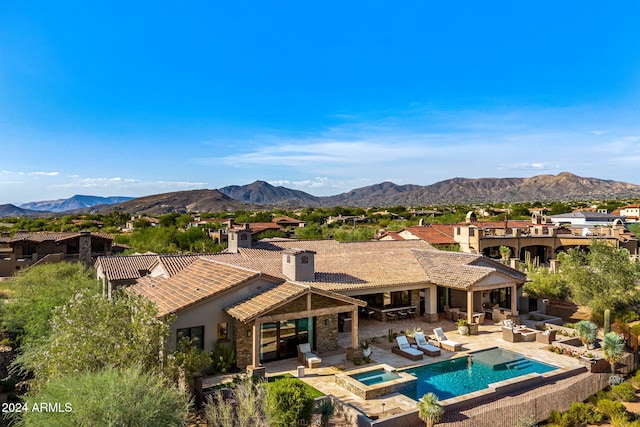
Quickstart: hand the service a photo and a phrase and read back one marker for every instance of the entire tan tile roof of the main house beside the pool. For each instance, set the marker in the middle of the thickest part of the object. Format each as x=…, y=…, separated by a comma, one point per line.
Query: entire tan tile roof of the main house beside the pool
x=338, y=267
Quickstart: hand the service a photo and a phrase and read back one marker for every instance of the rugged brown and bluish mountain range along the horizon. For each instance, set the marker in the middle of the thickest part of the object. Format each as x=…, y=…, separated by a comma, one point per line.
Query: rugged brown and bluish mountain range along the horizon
x=260, y=194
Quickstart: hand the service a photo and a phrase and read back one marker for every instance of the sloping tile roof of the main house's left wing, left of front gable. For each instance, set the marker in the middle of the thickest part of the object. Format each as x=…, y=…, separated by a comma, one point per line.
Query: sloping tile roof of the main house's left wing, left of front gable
x=201, y=280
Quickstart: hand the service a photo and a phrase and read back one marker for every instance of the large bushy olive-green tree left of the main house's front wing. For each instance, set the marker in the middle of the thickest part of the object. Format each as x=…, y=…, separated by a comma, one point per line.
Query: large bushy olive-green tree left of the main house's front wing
x=90, y=333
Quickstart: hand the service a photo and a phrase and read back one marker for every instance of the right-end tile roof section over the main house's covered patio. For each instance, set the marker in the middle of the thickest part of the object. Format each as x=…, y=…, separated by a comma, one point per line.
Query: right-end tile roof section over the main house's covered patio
x=461, y=271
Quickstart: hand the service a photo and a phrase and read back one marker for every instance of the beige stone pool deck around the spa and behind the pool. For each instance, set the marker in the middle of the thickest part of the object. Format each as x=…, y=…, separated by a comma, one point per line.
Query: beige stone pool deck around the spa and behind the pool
x=323, y=378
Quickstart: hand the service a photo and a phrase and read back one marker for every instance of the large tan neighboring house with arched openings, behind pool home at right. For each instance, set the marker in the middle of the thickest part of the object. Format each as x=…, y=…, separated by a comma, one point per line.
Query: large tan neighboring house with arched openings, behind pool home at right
x=539, y=237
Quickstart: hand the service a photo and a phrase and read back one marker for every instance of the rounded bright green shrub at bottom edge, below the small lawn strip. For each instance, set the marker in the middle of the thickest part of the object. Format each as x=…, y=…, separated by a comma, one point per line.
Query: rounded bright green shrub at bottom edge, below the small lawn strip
x=289, y=402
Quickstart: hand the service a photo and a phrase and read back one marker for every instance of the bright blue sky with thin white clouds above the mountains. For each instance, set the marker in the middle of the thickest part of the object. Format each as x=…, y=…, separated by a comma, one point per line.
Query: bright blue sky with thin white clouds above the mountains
x=132, y=99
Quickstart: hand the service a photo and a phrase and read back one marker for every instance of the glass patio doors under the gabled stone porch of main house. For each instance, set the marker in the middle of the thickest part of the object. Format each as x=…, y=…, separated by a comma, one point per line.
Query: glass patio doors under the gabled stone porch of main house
x=279, y=340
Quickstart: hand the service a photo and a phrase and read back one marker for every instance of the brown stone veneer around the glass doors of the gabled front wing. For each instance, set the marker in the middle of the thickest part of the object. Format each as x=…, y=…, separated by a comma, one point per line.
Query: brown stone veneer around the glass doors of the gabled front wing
x=326, y=335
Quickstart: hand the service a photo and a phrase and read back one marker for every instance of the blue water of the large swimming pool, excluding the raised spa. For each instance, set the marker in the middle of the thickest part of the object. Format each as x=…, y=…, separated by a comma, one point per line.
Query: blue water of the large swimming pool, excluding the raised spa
x=457, y=376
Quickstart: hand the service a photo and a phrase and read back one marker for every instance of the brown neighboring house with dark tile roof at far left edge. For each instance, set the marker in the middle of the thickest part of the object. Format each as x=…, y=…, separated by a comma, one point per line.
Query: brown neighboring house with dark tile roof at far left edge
x=25, y=249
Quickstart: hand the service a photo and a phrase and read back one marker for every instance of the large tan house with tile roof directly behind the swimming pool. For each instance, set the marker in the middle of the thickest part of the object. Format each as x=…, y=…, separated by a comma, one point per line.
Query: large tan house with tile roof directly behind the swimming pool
x=265, y=298
